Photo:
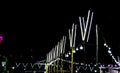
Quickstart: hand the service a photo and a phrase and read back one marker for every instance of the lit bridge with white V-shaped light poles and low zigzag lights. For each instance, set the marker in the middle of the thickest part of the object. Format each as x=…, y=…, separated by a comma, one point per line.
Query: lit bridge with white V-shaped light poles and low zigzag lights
x=62, y=58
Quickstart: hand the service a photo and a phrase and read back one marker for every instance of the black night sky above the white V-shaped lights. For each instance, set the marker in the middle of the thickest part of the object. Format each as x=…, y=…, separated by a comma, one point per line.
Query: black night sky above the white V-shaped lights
x=35, y=28
